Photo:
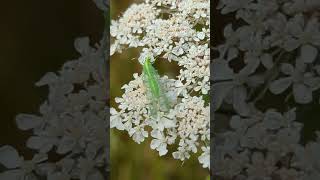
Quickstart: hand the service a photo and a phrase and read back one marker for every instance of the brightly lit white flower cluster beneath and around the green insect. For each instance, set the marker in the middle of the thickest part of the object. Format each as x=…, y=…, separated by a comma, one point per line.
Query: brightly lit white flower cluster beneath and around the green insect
x=178, y=31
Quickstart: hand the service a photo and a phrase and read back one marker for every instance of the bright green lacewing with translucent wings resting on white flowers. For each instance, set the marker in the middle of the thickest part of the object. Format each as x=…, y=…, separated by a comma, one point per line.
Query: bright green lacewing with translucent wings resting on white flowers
x=156, y=93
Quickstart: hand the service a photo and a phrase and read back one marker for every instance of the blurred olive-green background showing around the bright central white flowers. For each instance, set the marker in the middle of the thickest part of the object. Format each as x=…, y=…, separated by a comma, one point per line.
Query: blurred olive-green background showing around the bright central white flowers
x=129, y=160
